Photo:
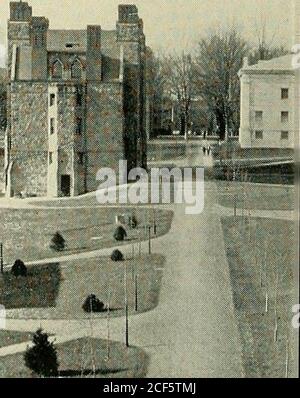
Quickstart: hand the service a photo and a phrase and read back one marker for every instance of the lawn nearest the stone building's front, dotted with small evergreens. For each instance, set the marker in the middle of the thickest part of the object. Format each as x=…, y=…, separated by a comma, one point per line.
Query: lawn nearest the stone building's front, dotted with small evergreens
x=27, y=233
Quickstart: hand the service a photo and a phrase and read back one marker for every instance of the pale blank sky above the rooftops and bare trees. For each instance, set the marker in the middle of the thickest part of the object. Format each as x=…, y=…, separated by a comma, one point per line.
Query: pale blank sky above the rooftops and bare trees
x=169, y=24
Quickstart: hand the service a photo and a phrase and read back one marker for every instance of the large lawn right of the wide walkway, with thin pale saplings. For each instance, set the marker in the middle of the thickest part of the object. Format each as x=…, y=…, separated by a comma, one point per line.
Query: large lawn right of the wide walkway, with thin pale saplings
x=261, y=266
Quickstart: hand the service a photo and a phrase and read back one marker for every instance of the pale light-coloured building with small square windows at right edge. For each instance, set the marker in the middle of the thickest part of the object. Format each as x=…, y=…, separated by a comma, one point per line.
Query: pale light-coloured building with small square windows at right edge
x=269, y=117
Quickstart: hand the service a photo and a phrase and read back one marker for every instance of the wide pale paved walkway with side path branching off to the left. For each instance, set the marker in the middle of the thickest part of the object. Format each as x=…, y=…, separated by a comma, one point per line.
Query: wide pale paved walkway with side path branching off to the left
x=193, y=331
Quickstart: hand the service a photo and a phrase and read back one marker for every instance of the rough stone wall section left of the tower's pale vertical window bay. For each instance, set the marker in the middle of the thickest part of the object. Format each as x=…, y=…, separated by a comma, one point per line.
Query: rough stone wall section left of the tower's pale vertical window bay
x=29, y=137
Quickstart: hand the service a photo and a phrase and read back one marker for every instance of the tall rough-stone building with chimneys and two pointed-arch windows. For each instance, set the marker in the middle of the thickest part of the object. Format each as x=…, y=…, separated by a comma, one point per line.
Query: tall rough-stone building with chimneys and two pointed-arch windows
x=76, y=102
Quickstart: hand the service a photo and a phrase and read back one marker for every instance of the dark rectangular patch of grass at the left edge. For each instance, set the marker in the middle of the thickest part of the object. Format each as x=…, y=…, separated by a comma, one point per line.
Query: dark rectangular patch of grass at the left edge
x=38, y=289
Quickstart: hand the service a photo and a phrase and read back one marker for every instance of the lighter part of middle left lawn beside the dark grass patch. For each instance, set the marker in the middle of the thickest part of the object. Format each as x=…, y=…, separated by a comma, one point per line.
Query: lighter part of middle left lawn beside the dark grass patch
x=104, y=278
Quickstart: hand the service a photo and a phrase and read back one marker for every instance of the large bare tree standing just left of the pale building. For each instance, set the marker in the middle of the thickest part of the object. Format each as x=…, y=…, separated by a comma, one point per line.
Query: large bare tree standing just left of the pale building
x=219, y=58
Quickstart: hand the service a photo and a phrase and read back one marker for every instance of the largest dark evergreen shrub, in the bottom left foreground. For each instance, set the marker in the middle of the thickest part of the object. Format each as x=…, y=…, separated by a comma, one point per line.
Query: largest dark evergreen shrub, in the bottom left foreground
x=42, y=357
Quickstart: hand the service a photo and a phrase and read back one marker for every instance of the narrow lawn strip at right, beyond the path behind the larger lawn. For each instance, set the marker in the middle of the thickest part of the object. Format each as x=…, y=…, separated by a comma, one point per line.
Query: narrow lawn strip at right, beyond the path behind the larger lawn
x=255, y=196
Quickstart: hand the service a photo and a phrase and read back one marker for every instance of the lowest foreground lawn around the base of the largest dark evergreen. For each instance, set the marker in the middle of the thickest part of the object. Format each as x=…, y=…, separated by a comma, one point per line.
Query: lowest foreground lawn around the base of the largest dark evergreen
x=75, y=361
